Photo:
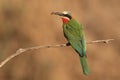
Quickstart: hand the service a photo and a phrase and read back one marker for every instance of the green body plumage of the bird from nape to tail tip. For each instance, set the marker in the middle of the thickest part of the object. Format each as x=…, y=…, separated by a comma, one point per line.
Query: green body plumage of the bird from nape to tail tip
x=73, y=31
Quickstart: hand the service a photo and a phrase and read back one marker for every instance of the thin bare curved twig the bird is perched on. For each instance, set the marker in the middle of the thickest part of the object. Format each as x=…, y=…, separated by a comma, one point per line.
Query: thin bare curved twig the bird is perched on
x=21, y=50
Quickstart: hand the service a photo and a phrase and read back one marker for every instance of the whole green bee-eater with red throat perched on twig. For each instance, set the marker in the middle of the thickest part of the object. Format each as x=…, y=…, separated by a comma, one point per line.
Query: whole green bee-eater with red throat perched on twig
x=73, y=32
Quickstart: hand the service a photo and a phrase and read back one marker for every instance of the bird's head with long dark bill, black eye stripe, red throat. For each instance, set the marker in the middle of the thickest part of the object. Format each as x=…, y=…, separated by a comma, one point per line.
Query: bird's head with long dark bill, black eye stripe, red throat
x=66, y=16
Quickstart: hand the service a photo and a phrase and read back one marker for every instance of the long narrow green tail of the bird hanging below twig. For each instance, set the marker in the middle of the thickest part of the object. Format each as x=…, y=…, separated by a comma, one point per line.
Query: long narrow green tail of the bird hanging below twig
x=84, y=64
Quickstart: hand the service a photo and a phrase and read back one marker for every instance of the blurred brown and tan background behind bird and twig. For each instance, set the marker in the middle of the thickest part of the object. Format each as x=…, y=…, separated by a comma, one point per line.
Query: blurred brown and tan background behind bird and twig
x=27, y=23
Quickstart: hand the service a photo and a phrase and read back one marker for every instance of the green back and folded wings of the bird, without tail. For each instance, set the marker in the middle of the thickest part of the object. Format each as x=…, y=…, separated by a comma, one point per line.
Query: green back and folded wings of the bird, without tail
x=73, y=31
